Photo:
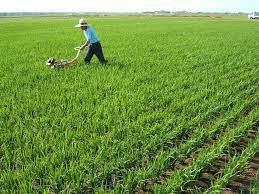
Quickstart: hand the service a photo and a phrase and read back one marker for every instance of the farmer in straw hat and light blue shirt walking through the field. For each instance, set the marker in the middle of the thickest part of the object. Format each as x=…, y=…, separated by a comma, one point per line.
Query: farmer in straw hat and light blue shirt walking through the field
x=93, y=42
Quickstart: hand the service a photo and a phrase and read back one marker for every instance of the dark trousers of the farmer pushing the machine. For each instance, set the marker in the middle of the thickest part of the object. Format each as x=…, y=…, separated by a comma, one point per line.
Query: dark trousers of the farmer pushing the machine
x=95, y=49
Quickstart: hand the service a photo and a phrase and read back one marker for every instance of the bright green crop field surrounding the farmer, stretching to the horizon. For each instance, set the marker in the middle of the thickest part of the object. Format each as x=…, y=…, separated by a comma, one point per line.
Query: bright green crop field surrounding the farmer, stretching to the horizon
x=179, y=96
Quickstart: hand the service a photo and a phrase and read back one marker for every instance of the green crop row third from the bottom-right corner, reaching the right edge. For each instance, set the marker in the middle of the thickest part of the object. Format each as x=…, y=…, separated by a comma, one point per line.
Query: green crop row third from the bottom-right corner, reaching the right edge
x=198, y=140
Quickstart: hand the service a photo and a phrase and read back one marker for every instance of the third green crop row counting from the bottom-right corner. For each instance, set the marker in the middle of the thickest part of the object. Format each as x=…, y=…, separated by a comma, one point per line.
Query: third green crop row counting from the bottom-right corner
x=169, y=158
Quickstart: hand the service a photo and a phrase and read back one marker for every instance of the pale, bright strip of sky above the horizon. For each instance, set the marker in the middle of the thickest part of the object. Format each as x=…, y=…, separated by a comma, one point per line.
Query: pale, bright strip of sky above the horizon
x=128, y=5
